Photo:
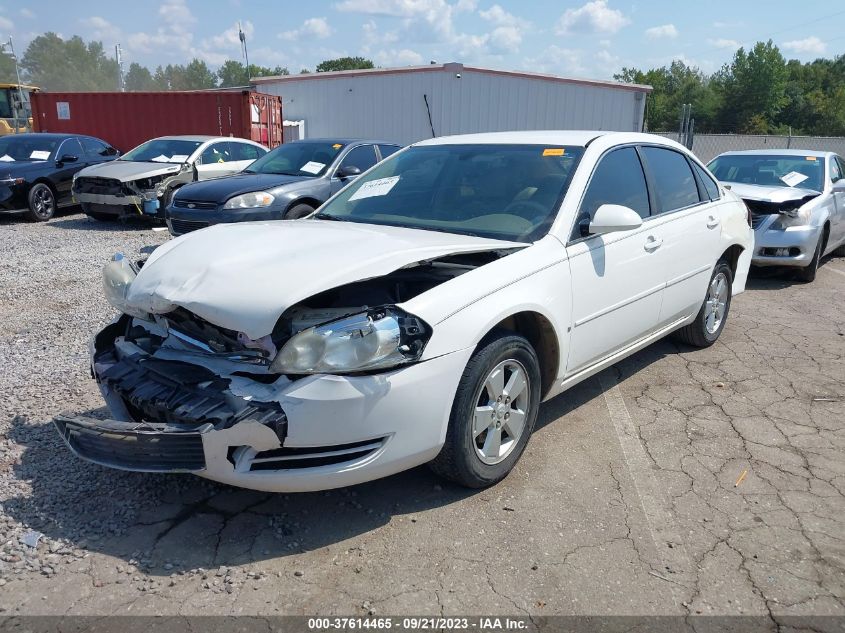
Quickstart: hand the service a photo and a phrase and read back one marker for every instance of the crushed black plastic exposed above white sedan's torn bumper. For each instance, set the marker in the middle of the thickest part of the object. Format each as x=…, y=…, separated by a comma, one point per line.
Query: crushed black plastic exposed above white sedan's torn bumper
x=174, y=392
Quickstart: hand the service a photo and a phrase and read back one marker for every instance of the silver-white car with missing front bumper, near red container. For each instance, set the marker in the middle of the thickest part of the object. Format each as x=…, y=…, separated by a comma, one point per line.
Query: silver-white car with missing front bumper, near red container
x=142, y=181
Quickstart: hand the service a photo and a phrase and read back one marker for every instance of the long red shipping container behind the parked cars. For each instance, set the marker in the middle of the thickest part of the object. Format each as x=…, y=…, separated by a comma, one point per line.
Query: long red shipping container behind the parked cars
x=127, y=119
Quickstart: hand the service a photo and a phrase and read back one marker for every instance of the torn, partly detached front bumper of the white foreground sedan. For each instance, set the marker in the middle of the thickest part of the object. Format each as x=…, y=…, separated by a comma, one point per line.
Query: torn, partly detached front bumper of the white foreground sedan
x=314, y=433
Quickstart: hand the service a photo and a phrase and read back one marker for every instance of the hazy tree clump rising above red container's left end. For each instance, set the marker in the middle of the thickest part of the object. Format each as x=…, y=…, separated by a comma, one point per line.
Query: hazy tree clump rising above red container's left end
x=56, y=64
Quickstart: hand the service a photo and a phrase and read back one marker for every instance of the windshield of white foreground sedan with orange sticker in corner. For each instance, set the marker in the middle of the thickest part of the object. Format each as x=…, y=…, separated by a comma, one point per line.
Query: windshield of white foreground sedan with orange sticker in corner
x=507, y=192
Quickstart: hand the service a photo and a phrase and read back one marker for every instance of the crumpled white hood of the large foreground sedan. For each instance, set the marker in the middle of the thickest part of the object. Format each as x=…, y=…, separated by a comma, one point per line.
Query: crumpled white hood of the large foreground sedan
x=244, y=276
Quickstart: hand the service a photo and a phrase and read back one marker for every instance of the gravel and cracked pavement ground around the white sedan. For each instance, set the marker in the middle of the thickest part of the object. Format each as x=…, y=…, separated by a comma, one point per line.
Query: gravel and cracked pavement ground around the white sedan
x=625, y=501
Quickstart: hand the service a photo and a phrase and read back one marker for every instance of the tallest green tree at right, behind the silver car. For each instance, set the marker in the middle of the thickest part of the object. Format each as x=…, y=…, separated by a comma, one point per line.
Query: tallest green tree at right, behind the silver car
x=754, y=89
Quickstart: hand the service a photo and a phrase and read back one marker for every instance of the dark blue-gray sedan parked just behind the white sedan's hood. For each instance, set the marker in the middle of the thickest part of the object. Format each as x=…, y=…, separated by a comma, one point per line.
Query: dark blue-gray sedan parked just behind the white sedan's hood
x=287, y=183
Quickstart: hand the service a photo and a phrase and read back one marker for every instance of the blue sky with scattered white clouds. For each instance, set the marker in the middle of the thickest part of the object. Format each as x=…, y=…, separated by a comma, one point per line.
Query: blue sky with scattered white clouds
x=575, y=38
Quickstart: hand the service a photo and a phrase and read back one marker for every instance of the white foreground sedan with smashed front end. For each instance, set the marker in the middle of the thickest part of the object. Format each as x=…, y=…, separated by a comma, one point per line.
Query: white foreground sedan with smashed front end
x=420, y=316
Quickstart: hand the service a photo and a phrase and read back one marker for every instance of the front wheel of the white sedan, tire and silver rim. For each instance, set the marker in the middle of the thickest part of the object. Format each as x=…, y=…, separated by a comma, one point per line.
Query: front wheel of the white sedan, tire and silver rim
x=493, y=413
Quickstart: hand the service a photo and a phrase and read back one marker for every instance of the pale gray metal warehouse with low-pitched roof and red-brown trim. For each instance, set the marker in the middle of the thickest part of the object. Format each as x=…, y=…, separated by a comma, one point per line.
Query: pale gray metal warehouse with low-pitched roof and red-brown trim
x=417, y=102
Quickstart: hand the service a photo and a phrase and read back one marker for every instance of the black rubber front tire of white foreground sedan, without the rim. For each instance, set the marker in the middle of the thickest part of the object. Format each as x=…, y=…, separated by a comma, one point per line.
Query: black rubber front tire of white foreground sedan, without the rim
x=459, y=459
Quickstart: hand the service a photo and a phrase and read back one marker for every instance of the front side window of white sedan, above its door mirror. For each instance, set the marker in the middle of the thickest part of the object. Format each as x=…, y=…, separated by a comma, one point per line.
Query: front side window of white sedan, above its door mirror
x=618, y=179
